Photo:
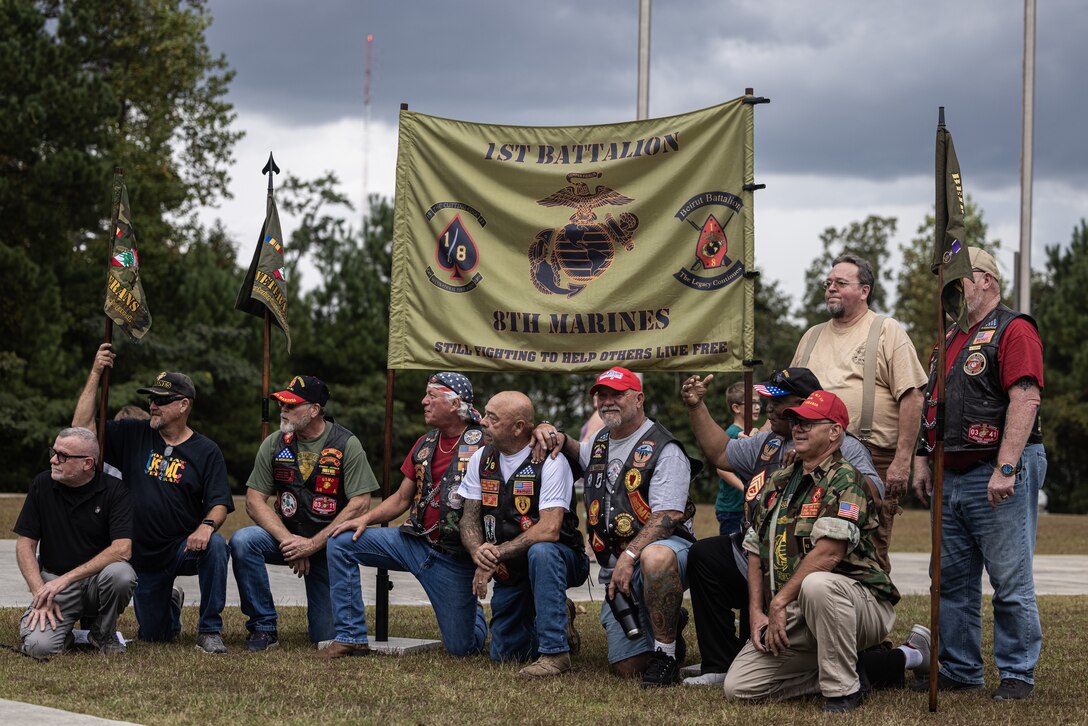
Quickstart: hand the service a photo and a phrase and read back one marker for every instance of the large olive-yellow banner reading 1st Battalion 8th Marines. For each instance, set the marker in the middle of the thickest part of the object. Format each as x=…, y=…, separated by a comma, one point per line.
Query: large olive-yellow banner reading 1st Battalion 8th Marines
x=574, y=249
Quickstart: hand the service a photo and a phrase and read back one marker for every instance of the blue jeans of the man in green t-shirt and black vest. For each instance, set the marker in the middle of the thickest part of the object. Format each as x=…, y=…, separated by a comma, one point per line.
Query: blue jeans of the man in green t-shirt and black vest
x=252, y=548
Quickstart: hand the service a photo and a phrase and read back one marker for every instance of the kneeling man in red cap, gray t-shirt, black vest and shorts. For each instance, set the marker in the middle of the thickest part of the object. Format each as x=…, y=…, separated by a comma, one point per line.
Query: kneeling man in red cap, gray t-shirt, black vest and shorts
x=638, y=510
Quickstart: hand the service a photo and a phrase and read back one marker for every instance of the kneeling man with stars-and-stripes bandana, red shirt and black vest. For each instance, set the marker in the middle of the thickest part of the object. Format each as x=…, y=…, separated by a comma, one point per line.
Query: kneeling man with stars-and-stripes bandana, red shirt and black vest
x=429, y=545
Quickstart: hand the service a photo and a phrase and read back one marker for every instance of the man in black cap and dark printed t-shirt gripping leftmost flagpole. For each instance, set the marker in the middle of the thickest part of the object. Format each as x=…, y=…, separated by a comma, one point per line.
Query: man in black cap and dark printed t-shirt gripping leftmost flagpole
x=180, y=495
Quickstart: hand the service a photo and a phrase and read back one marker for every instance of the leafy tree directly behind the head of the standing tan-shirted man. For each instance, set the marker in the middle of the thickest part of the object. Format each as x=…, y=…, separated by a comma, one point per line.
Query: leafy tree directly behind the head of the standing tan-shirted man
x=869, y=239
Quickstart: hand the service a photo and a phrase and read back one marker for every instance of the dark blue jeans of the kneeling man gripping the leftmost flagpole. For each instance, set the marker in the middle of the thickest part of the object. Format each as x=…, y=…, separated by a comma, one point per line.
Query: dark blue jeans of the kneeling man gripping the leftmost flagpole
x=159, y=620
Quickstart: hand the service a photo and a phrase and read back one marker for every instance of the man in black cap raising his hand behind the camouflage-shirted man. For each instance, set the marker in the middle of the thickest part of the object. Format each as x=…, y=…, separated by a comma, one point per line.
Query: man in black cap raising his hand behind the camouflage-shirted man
x=718, y=567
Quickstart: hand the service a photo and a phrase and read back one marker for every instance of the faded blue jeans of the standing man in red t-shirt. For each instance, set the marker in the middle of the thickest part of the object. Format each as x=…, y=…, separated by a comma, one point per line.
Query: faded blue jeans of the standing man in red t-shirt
x=1004, y=542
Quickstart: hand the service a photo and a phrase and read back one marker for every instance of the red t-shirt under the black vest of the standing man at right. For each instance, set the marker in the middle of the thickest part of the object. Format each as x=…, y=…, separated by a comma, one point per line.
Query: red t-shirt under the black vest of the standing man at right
x=1020, y=355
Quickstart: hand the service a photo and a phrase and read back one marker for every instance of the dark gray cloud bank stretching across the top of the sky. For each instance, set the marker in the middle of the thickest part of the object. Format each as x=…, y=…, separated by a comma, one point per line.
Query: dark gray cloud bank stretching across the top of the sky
x=856, y=85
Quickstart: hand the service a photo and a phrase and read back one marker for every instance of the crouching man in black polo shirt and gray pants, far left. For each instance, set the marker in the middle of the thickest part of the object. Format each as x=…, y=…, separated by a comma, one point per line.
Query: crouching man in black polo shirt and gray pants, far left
x=83, y=522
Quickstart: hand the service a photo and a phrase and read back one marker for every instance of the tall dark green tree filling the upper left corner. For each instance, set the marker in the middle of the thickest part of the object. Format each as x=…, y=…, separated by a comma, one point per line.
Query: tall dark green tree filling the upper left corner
x=89, y=87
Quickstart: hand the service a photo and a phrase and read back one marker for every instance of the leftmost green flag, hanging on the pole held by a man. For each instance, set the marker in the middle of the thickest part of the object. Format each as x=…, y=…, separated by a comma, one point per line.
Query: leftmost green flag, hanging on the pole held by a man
x=125, y=293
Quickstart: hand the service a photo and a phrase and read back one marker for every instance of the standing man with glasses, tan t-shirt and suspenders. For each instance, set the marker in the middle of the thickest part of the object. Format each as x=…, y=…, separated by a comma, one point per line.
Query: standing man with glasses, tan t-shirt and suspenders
x=871, y=364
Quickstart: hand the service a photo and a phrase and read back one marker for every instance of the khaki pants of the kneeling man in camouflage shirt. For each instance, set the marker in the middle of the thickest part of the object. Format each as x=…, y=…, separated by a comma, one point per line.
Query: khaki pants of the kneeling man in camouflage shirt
x=832, y=621
